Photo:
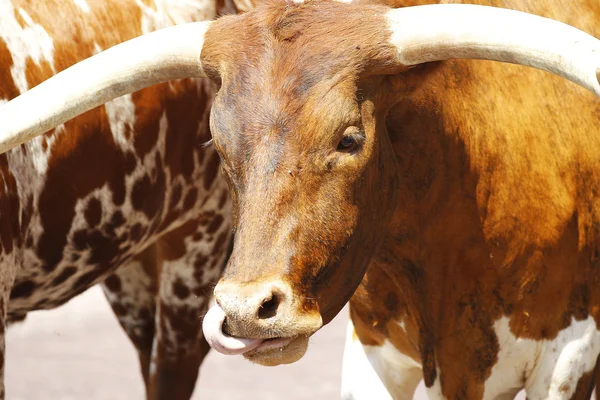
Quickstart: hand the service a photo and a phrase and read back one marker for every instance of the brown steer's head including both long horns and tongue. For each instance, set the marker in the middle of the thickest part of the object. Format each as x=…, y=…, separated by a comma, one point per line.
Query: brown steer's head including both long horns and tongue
x=299, y=122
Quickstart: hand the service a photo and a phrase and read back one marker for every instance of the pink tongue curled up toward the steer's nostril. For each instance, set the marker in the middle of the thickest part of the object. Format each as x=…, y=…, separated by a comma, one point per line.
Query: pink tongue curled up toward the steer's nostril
x=213, y=332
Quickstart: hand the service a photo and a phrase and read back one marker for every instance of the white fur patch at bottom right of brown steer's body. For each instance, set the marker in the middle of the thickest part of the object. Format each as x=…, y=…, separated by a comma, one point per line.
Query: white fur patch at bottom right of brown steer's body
x=546, y=368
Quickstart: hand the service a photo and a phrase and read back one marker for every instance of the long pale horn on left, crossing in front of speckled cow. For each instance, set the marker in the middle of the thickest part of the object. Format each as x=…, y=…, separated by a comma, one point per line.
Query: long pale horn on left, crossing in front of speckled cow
x=160, y=56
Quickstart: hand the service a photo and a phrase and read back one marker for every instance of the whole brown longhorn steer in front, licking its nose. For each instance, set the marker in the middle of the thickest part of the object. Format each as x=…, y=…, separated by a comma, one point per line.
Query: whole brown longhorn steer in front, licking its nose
x=463, y=195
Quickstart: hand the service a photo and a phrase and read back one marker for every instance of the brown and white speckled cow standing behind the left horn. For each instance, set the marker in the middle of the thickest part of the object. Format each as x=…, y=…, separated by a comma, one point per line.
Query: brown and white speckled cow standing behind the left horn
x=129, y=185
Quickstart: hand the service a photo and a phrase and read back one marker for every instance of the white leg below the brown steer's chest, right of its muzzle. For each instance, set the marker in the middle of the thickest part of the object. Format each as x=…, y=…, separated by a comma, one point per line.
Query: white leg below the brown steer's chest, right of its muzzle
x=376, y=372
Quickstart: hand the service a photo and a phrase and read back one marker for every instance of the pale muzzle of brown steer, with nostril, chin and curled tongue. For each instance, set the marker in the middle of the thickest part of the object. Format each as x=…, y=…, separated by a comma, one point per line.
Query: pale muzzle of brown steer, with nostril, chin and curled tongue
x=264, y=322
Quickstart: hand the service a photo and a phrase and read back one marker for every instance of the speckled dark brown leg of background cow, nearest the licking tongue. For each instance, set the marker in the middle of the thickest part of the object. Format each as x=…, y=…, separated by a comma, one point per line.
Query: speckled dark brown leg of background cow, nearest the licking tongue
x=192, y=258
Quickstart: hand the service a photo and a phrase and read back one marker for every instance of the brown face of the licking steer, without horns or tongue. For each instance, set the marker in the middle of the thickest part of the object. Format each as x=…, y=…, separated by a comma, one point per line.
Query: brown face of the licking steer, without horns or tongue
x=301, y=132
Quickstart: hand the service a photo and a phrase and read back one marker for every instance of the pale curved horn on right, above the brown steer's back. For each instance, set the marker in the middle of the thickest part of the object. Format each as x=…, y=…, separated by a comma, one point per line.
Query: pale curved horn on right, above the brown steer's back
x=450, y=31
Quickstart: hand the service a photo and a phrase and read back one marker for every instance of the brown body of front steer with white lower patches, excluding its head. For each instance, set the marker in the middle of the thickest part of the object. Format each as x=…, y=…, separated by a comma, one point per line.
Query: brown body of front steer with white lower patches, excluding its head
x=487, y=282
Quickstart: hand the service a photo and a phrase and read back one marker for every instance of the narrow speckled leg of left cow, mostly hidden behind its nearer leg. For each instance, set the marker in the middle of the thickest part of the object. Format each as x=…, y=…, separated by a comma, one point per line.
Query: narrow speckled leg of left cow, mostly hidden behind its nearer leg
x=131, y=292
